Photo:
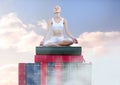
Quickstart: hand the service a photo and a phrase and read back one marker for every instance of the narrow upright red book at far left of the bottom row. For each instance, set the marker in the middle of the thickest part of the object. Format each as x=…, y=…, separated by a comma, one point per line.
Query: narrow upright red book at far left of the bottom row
x=22, y=74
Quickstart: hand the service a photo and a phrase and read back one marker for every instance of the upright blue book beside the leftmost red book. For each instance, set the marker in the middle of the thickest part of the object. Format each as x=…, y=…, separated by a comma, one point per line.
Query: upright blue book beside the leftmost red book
x=32, y=74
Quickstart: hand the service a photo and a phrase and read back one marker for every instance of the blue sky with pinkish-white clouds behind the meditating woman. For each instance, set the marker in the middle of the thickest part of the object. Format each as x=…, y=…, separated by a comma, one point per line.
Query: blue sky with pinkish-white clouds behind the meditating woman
x=95, y=23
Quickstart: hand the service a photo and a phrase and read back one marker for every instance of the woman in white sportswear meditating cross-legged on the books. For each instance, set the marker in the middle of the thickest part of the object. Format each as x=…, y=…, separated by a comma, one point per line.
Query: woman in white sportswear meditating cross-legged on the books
x=57, y=24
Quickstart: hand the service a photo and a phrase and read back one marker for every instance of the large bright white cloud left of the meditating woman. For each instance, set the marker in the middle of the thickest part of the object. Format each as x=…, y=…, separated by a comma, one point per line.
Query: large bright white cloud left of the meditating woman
x=14, y=34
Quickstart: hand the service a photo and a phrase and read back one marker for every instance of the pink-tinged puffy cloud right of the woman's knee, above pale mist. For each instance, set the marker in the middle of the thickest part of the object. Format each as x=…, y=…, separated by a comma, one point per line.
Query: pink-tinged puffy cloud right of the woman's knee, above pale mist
x=99, y=43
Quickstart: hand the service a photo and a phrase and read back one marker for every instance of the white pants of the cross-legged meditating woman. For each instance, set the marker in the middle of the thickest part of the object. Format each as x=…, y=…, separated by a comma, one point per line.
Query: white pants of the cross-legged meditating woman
x=56, y=39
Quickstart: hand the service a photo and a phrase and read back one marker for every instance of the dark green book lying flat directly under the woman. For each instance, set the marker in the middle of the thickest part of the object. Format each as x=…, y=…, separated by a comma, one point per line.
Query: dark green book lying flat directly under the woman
x=65, y=50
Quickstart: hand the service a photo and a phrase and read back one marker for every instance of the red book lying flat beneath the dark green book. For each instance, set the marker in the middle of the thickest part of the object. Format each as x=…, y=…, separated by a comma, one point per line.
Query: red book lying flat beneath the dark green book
x=59, y=58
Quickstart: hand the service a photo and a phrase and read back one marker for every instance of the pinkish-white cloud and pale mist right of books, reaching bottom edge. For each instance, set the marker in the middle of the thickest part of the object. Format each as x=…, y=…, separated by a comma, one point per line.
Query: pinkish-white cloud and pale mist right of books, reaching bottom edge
x=102, y=49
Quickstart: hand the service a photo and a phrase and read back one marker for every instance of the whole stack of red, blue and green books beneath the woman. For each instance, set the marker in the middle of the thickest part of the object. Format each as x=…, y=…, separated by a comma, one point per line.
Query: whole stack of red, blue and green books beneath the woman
x=56, y=66
